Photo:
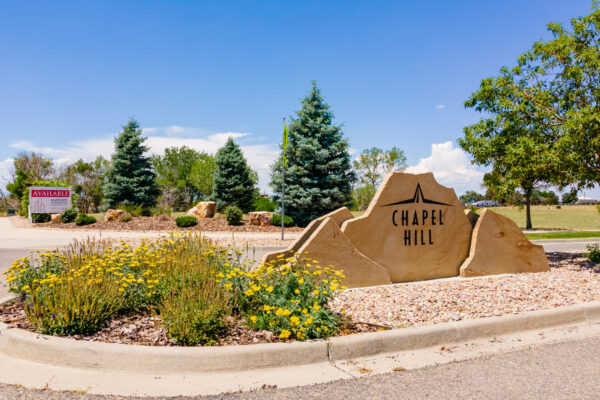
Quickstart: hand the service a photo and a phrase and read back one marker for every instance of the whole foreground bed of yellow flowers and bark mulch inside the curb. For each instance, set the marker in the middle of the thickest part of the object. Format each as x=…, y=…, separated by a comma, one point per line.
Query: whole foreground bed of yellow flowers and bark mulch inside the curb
x=176, y=290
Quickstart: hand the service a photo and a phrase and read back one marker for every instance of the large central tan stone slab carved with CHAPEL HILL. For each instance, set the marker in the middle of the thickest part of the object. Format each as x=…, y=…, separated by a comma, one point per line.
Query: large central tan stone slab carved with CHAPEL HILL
x=414, y=227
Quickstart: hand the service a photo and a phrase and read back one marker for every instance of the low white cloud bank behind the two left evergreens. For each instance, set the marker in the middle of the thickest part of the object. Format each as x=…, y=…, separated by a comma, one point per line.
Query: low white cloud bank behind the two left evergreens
x=259, y=156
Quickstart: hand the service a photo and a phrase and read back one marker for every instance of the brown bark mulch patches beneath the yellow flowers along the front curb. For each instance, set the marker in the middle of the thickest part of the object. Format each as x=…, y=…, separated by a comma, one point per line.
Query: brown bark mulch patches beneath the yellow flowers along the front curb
x=146, y=330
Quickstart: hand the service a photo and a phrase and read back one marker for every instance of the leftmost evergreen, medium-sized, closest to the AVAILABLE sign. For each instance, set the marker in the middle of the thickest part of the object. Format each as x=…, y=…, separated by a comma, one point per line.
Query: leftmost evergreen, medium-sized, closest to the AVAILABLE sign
x=130, y=178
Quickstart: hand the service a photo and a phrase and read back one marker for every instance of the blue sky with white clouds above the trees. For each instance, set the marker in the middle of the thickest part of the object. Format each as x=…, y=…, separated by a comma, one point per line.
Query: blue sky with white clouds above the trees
x=395, y=73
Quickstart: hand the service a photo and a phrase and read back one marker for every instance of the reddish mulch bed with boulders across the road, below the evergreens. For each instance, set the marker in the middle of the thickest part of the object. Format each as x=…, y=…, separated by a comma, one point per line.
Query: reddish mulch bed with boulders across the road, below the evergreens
x=167, y=223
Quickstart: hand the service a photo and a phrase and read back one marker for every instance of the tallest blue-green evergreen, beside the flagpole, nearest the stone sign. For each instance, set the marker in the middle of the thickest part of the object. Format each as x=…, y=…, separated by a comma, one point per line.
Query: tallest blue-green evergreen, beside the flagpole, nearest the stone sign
x=318, y=176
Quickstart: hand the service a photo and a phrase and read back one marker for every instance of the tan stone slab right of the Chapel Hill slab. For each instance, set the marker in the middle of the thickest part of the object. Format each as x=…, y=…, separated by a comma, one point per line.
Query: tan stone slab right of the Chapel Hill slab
x=500, y=247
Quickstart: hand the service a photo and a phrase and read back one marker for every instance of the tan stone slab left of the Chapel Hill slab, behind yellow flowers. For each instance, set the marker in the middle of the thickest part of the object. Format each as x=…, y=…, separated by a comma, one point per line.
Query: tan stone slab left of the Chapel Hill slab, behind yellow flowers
x=330, y=246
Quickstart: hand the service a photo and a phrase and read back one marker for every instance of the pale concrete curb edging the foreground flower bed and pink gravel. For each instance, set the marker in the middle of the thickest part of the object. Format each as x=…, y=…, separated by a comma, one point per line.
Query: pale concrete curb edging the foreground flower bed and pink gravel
x=93, y=355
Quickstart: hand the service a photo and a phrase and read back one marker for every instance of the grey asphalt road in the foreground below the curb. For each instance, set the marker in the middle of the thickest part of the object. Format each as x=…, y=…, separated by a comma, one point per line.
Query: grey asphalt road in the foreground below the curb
x=568, y=370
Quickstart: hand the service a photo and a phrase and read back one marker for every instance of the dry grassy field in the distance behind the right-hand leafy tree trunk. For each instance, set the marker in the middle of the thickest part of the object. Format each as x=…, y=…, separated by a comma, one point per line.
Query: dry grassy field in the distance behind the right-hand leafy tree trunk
x=550, y=217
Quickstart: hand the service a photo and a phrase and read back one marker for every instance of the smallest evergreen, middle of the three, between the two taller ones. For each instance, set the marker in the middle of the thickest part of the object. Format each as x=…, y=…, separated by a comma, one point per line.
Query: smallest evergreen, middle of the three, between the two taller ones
x=232, y=179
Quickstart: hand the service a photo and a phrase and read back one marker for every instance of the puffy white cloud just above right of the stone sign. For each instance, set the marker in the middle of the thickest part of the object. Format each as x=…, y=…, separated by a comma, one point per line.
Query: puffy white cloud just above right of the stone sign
x=451, y=167
